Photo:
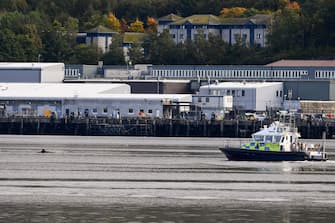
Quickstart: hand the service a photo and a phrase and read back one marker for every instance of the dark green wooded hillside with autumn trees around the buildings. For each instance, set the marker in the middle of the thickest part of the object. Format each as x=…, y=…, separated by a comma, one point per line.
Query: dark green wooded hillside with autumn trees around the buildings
x=29, y=28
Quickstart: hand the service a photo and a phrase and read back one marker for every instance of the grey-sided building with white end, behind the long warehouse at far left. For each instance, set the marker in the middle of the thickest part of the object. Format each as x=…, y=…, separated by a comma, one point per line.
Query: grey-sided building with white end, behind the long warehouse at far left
x=32, y=72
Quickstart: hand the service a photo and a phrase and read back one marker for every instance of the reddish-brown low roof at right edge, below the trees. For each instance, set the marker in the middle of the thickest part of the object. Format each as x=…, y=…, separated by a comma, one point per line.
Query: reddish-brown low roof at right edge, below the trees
x=303, y=63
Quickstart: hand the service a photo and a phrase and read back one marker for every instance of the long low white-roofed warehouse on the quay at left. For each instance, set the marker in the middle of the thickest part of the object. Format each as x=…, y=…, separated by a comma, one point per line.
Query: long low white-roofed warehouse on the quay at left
x=87, y=100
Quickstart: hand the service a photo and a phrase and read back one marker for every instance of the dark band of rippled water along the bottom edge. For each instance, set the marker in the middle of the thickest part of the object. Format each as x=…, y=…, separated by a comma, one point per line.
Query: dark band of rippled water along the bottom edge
x=246, y=212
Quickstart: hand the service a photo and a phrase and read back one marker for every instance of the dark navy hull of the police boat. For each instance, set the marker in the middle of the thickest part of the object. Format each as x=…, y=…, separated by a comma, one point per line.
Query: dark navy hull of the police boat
x=257, y=155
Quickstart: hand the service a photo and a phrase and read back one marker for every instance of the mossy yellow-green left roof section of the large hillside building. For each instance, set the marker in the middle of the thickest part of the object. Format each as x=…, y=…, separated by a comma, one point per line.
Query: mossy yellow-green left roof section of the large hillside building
x=200, y=20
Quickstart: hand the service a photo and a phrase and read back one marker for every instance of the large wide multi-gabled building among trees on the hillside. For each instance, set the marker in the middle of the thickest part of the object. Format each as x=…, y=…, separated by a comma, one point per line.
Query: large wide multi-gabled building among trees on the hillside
x=251, y=31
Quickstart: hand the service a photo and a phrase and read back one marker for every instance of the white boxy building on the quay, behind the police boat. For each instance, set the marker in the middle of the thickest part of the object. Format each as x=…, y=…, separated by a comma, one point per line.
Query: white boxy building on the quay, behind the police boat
x=248, y=96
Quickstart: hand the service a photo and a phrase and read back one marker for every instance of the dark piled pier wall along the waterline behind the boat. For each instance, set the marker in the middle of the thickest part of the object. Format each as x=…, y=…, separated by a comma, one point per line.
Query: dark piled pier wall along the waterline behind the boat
x=152, y=127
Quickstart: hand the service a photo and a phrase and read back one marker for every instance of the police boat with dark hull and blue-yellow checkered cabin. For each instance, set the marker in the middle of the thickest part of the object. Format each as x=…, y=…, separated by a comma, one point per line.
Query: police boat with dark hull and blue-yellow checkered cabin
x=277, y=142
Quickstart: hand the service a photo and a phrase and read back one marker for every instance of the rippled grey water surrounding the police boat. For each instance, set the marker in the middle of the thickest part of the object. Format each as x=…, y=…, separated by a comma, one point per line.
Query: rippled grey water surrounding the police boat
x=134, y=179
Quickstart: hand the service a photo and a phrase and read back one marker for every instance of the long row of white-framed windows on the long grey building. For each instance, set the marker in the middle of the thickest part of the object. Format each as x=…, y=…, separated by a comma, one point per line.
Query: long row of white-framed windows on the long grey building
x=230, y=73
